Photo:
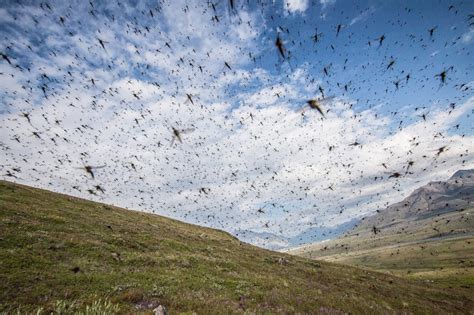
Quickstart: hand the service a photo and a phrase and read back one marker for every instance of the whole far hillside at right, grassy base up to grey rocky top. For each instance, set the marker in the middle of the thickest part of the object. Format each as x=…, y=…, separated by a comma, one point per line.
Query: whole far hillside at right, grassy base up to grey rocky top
x=429, y=235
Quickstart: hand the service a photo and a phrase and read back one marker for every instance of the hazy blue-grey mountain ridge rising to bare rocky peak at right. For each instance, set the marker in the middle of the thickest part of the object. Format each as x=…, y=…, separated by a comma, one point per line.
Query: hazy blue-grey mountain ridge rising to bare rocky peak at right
x=432, y=199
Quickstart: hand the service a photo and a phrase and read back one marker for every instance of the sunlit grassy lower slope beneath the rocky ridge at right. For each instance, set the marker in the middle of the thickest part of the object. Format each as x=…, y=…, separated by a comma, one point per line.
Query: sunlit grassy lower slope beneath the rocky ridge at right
x=438, y=250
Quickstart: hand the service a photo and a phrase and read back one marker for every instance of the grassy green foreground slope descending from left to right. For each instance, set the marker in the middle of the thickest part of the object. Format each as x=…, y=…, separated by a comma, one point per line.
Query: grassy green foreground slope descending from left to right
x=62, y=254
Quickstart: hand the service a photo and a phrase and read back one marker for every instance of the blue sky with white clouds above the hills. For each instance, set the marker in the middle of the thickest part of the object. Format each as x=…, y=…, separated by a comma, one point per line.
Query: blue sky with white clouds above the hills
x=104, y=84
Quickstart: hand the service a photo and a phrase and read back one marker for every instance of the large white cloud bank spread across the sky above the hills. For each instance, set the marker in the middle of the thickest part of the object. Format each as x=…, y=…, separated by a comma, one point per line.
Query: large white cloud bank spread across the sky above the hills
x=251, y=147
